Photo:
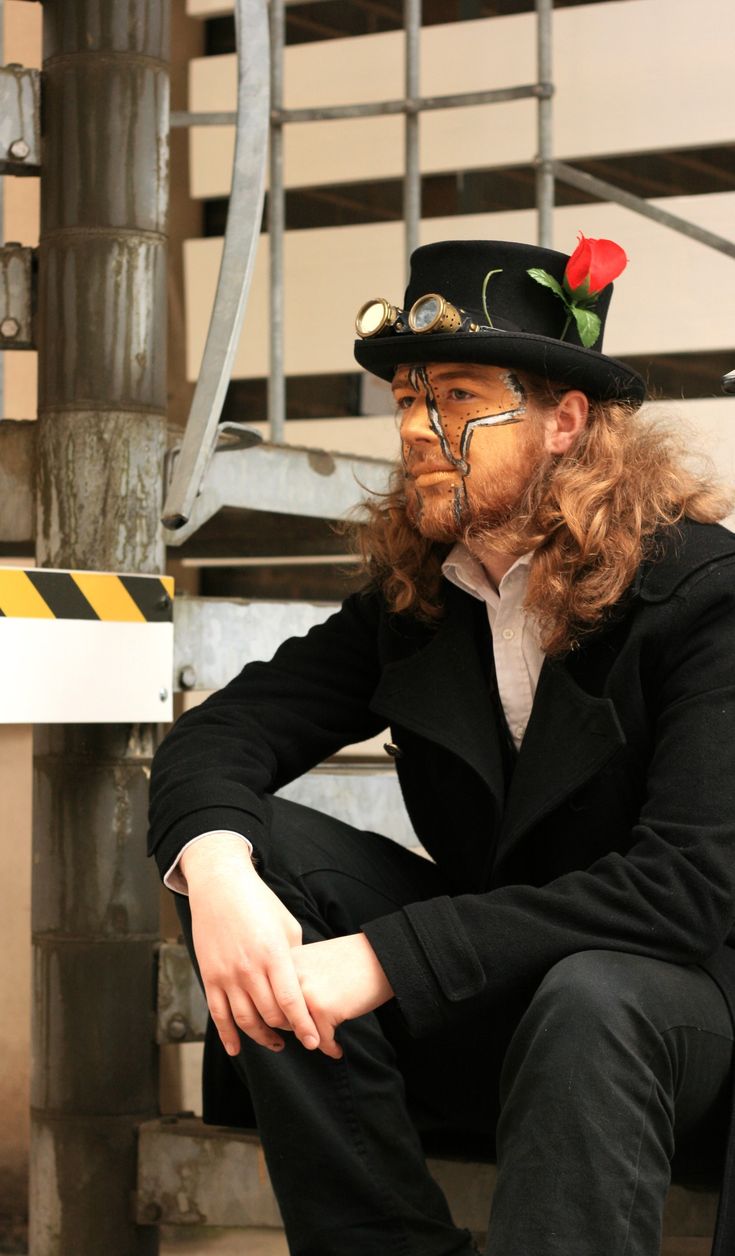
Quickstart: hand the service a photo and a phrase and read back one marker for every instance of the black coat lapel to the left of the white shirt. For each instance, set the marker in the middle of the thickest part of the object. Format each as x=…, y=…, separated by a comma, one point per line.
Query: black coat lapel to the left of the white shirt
x=444, y=691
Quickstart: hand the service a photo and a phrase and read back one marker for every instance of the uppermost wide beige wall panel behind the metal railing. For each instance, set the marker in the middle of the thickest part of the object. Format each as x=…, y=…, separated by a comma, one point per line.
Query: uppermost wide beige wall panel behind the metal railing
x=596, y=111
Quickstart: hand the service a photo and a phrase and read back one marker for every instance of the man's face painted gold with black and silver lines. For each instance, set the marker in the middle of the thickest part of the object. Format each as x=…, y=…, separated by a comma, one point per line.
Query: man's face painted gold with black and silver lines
x=447, y=409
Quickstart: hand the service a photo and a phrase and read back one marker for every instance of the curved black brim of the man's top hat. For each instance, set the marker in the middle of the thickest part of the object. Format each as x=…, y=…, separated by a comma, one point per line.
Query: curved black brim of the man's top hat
x=596, y=375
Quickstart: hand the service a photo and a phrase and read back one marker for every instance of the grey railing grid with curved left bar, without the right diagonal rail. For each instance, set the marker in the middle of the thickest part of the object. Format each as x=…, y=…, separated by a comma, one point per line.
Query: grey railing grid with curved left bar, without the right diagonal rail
x=244, y=219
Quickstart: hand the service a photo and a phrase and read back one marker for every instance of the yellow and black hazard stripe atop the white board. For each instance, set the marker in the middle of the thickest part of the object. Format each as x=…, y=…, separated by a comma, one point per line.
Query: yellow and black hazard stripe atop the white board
x=40, y=595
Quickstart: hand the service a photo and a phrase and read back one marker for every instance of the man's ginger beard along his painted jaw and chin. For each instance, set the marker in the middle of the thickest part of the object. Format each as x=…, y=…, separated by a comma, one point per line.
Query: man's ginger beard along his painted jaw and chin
x=484, y=501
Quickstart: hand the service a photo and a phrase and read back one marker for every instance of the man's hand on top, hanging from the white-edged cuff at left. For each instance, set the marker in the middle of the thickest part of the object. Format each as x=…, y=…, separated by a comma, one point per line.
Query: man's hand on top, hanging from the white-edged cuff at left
x=243, y=938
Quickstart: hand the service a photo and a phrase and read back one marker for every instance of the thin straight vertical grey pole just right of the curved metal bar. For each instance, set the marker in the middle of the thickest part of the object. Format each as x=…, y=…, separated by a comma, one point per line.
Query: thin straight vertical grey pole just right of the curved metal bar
x=277, y=228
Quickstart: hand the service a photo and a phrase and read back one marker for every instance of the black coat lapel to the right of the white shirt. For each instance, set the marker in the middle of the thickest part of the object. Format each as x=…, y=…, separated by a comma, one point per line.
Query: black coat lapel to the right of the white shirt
x=570, y=738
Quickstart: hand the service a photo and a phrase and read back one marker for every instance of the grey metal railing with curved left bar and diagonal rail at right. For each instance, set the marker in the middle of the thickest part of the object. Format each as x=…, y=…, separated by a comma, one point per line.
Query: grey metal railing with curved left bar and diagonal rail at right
x=202, y=428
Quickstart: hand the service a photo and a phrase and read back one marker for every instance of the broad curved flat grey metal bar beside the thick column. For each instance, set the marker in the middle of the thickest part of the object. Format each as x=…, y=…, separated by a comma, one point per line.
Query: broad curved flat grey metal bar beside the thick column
x=244, y=218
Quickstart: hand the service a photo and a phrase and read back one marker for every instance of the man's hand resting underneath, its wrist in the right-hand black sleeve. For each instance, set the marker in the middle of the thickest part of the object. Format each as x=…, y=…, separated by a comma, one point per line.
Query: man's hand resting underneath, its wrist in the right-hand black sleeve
x=341, y=979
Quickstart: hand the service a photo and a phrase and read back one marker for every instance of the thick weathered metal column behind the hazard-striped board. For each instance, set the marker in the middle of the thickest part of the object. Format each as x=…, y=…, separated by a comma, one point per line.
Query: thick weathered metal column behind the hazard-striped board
x=102, y=438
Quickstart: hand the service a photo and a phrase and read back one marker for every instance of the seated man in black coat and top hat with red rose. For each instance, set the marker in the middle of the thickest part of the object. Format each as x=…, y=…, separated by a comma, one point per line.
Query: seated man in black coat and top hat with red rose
x=550, y=632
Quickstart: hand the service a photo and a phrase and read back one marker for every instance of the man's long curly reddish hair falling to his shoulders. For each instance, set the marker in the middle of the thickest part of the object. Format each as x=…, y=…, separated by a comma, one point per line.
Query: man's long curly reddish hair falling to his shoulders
x=590, y=517
